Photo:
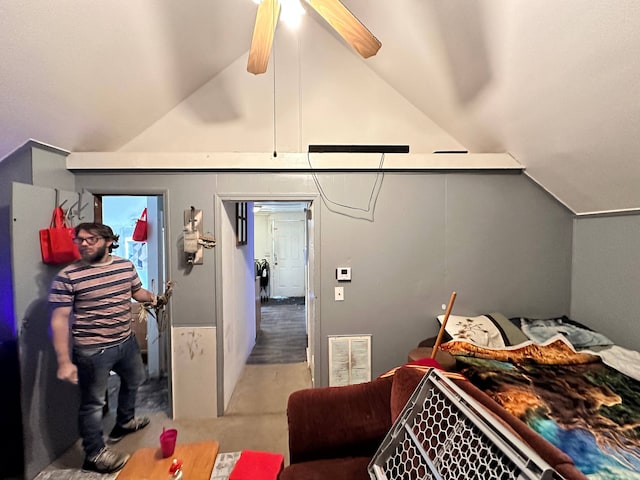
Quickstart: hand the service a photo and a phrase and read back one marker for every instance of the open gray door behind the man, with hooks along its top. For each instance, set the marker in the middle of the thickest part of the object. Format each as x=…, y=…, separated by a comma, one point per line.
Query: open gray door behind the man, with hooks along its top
x=49, y=406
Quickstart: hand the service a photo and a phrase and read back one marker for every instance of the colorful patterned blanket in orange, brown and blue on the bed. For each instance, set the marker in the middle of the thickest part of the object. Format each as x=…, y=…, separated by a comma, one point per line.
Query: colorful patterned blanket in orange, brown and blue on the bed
x=587, y=409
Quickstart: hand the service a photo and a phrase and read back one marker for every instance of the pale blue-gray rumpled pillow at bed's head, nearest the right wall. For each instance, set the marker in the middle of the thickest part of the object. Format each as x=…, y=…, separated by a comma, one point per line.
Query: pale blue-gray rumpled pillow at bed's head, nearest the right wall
x=541, y=329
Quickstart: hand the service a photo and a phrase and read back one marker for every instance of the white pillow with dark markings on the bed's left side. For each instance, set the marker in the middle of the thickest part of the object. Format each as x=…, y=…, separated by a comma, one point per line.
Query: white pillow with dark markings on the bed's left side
x=493, y=330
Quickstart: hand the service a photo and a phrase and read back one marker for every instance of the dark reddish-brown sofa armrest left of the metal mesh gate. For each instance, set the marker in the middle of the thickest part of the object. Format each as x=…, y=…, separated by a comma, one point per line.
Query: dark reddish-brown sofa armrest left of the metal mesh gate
x=333, y=422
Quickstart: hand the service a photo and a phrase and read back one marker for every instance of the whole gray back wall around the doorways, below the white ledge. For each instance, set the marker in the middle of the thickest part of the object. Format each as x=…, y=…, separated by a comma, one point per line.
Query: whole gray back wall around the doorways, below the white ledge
x=497, y=239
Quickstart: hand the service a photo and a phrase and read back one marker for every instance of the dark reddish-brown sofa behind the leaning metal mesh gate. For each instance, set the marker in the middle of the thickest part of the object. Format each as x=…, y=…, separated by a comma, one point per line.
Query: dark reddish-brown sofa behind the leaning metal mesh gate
x=335, y=431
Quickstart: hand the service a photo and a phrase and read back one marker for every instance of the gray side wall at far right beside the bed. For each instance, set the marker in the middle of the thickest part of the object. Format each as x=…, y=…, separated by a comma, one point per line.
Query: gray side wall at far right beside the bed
x=606, y=277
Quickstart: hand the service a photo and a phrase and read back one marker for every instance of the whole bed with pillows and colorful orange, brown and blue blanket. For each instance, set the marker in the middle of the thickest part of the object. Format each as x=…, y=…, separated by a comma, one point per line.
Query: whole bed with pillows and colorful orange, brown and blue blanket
x=569, y=383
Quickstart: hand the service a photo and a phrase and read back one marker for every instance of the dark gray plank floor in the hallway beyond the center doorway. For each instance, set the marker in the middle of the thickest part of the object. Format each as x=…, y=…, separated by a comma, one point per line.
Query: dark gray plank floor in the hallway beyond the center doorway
x=282, y=337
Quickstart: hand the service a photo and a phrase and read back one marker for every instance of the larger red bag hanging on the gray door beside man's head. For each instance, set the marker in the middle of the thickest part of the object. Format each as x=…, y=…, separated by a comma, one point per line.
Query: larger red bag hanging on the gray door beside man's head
x=56, y=242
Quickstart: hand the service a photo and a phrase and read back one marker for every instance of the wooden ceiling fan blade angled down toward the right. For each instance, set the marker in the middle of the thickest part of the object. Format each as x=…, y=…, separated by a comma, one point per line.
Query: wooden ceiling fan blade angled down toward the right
x=347, y=25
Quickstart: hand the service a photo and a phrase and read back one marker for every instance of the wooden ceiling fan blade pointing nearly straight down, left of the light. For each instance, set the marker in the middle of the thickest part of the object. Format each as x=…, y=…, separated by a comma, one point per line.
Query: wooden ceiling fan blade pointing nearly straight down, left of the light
x=263, y=32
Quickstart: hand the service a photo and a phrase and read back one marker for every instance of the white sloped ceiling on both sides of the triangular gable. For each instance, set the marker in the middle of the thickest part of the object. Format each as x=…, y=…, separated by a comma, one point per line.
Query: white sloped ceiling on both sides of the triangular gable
x=553, y=83
